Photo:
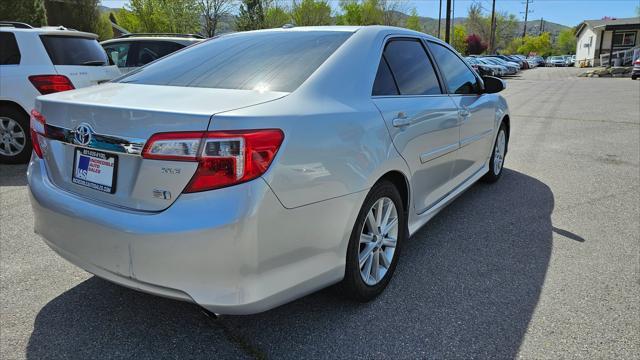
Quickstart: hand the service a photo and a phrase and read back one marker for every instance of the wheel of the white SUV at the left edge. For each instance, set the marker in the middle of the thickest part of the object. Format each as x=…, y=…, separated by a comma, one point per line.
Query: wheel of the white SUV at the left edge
x=15, y=140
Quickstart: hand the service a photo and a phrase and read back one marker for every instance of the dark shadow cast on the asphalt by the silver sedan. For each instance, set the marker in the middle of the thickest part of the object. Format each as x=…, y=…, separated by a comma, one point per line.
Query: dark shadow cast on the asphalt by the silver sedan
x=466, y=287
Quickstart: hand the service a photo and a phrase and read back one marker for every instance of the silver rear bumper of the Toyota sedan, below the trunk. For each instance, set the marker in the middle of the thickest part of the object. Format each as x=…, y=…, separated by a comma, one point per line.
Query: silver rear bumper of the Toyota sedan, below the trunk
x=233, y=251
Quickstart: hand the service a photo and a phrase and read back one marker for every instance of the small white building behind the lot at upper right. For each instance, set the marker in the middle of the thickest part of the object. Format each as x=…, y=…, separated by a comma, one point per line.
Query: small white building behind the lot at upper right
x=606, y=37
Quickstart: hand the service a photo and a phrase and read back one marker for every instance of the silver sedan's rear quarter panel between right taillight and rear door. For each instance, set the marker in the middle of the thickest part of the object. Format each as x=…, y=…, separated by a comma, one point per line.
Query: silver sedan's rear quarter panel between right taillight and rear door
x=330, y=148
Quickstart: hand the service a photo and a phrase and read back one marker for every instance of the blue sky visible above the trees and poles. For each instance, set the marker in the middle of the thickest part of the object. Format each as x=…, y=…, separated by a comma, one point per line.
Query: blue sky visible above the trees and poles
x=566, y=12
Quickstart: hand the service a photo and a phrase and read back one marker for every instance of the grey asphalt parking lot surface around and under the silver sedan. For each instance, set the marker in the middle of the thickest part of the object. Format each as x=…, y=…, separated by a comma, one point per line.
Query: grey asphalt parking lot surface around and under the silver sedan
x=543, y=264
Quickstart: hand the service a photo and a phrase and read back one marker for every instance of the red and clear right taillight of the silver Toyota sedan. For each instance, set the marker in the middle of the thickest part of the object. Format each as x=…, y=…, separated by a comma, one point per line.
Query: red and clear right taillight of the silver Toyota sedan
x=224, y=157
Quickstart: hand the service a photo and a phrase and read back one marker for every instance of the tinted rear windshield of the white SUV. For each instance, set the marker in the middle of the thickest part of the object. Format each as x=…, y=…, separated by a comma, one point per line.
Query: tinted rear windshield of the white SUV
x=69, y=50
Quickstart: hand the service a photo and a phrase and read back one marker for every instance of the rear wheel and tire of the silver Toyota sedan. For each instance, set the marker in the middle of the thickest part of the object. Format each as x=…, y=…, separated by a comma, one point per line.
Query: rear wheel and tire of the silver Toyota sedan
x=383, y=251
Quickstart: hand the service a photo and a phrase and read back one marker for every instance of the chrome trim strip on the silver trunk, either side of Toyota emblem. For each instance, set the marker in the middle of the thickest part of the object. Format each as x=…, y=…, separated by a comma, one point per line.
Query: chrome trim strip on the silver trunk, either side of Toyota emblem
x=102, y=142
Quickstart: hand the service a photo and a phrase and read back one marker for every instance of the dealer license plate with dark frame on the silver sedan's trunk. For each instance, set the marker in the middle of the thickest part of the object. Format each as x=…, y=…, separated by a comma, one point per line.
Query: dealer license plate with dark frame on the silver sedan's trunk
x=102, y=161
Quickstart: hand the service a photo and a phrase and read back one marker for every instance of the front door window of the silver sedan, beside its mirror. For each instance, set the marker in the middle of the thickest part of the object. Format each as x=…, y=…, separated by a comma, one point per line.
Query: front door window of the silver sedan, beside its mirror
x=459, y=78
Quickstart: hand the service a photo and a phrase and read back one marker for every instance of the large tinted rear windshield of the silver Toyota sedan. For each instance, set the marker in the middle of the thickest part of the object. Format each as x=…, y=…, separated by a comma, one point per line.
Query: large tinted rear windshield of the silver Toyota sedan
x=269, y=61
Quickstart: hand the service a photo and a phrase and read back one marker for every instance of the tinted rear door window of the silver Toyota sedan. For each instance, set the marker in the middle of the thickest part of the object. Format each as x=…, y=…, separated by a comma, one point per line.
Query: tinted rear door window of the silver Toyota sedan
x=411, y=68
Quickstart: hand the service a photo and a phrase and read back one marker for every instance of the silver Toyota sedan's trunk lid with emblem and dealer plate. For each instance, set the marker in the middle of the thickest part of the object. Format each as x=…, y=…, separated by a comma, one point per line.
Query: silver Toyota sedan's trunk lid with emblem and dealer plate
x=120, y=118
